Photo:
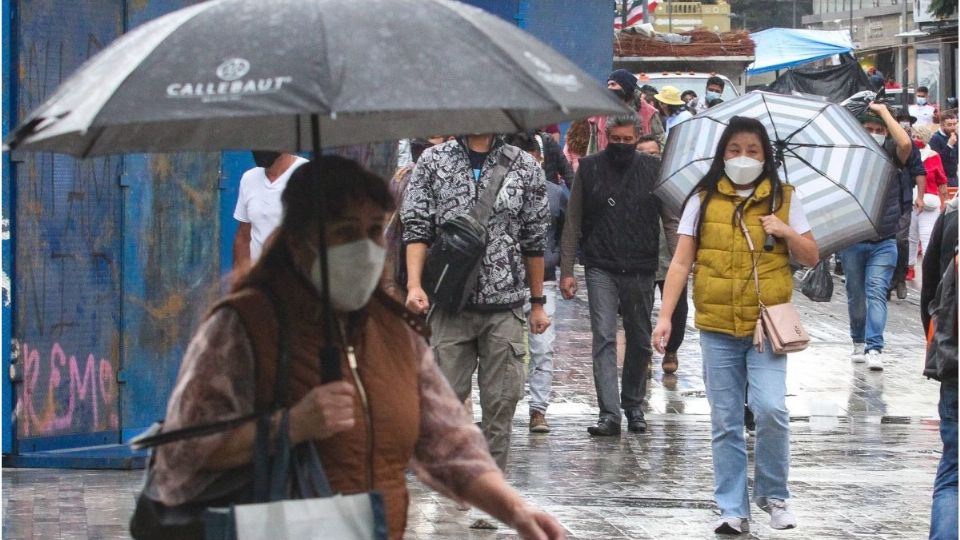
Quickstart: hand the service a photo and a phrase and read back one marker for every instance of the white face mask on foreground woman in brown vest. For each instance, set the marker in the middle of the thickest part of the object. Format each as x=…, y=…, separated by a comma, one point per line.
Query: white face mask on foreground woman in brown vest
x=355, y=271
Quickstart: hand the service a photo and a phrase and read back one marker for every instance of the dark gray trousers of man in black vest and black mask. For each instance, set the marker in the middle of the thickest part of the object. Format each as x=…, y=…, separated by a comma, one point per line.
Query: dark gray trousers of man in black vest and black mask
x=632, y=294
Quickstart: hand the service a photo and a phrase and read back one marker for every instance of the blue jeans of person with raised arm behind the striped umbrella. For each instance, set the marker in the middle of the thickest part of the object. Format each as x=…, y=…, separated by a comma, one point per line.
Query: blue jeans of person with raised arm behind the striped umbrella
x=868, y=268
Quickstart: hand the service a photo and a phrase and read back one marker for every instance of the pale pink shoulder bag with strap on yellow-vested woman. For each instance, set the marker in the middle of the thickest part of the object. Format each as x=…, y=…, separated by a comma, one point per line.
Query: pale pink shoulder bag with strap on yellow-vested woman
x=780, y=323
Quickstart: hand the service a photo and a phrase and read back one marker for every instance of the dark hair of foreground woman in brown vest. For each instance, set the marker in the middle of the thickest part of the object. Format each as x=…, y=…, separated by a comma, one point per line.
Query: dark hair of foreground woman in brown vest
x=342, y=182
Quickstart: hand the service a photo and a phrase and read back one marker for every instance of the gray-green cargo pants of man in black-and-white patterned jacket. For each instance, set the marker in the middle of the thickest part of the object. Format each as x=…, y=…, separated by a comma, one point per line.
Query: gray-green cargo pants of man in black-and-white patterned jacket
x=491, y=343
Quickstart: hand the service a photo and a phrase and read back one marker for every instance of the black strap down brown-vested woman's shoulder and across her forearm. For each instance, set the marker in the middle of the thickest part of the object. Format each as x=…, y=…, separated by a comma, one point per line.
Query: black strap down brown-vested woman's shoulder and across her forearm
x=155, y=436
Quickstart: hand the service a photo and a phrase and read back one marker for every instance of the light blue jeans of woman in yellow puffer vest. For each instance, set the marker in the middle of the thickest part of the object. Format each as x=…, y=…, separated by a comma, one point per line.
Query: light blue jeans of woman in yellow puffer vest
x=730, y=363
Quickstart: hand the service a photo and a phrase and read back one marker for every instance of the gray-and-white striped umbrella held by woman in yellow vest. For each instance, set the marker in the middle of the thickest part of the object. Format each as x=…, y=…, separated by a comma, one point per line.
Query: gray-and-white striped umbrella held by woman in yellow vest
x=840, y=173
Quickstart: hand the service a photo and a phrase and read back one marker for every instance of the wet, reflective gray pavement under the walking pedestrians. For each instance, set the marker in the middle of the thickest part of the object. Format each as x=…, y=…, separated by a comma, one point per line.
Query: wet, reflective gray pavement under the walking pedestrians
x=865, y=447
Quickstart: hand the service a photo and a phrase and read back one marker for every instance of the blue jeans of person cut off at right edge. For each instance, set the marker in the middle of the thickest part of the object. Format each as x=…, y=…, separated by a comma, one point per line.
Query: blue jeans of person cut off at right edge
x=943, y=518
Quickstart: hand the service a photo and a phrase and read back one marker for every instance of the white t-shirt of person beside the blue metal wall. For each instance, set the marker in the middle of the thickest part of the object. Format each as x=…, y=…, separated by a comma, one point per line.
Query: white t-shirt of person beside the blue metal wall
x=259, y=204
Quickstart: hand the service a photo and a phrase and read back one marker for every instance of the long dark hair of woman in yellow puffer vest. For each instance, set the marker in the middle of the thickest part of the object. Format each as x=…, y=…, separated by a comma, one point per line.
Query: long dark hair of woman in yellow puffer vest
x=708, y=184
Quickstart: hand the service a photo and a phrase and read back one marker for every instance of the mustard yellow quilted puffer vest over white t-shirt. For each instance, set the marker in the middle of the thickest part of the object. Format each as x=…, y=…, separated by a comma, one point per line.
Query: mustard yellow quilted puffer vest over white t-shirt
x=723, y=291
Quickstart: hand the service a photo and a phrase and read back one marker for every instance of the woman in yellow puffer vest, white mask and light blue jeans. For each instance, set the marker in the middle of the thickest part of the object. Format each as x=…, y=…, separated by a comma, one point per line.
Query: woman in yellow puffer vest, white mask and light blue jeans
x=742, y=183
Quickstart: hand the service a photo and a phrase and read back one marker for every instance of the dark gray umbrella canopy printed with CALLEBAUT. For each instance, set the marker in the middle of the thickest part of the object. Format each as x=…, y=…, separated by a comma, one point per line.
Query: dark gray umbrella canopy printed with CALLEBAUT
x=241, y=74
